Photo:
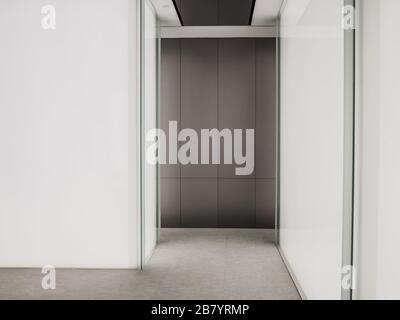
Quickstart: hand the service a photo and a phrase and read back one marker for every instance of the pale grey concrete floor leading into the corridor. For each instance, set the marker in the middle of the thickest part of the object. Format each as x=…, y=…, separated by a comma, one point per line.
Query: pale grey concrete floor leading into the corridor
x=188, y=264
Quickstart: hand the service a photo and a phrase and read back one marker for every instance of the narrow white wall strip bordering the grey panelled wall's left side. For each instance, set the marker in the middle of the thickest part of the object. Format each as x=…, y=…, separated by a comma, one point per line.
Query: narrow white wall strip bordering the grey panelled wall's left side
x=150, y=88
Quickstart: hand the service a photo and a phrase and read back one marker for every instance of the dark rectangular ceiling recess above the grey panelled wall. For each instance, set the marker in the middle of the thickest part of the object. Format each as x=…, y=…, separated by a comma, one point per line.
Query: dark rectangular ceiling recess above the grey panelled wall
x=215, y=12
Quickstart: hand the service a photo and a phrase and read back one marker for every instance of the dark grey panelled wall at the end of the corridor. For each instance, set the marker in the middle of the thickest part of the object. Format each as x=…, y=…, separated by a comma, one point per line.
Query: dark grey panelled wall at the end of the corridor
x=220, y=83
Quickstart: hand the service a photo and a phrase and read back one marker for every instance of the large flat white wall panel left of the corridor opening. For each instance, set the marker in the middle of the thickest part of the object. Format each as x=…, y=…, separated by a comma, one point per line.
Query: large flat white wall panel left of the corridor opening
x=68, y=135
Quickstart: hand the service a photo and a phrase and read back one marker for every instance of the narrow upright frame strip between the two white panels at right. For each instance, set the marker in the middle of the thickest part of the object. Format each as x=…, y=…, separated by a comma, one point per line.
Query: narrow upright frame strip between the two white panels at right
x=349, y=152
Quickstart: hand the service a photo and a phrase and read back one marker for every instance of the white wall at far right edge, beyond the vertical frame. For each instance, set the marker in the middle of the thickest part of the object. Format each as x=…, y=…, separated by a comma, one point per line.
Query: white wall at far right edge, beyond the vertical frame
x=379, y=237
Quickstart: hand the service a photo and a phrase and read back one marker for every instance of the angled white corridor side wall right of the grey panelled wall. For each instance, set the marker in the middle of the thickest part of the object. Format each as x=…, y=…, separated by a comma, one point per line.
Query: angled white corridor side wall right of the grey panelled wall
x=312, y=124
